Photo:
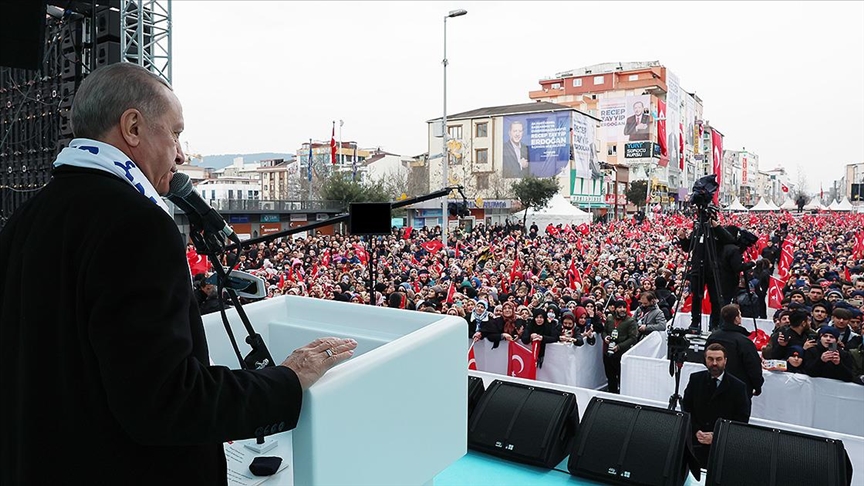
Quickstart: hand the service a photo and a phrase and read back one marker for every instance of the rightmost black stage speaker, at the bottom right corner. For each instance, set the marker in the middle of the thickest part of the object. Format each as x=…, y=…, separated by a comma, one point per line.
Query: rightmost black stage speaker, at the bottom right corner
x=744, y=454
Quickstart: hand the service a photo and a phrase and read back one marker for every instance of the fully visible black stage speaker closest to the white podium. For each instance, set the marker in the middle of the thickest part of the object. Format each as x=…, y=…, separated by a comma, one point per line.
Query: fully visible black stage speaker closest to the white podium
x=524, y=423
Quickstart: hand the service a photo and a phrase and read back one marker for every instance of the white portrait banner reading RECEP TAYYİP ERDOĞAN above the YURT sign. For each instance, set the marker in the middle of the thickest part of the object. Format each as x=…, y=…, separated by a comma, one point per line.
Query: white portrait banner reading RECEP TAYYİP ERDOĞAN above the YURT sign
x=626, y=119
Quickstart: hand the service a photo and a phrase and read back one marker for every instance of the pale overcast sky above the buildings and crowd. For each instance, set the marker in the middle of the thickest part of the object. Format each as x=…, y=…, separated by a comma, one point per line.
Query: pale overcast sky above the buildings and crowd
x=783, y=79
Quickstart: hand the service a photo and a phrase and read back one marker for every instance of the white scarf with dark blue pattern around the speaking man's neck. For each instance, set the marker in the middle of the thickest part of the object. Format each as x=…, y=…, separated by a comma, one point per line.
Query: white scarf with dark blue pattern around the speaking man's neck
x=92, y=154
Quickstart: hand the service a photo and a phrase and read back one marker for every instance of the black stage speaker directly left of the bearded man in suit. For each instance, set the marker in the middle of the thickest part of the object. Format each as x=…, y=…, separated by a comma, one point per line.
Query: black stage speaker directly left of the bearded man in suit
x=624, y=443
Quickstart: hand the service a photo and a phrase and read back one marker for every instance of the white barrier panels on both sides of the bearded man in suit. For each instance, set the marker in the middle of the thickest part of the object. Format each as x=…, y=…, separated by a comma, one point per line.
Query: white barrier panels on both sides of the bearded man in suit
x=793, y=398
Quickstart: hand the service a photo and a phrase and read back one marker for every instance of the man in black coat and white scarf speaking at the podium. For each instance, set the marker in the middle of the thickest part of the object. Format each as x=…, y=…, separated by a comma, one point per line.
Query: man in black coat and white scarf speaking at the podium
x=113, y=361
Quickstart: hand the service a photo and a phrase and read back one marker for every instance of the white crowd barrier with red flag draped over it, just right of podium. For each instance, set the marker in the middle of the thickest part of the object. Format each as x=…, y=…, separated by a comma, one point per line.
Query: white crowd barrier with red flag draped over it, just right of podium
x=562, y=363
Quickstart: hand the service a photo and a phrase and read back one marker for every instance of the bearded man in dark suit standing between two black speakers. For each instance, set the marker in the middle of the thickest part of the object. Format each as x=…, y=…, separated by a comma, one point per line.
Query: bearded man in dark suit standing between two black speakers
x=710, y=395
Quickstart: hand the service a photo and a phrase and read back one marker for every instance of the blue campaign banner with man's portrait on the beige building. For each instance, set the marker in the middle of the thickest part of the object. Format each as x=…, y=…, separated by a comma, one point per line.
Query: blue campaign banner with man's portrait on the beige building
x=537, y=144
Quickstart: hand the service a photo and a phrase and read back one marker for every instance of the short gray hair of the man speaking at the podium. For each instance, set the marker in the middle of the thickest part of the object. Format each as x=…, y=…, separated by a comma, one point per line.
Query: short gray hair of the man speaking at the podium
x=109, y=91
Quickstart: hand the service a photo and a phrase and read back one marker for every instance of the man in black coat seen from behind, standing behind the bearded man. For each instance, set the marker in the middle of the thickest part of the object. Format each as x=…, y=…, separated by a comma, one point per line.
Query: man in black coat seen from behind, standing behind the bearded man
x=743, y=360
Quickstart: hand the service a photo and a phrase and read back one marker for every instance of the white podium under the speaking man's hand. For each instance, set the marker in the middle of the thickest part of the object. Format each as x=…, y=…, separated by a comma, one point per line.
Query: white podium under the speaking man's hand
x=395, y=413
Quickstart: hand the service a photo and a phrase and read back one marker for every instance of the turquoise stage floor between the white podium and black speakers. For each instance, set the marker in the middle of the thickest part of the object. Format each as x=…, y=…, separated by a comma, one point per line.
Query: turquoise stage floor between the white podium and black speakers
x=478, y=469
